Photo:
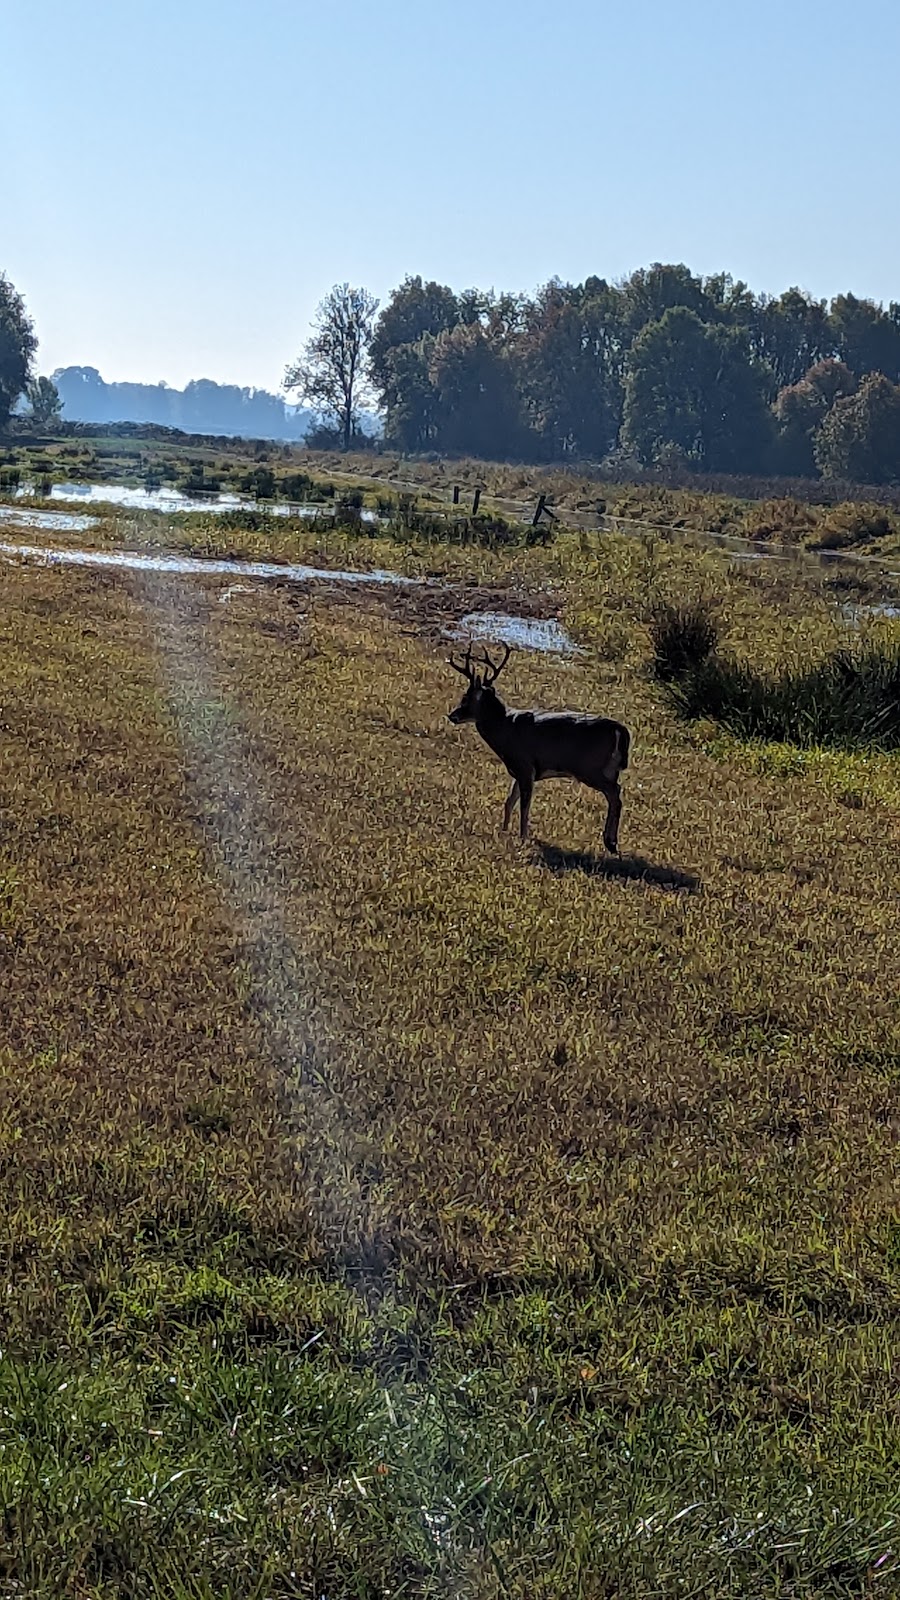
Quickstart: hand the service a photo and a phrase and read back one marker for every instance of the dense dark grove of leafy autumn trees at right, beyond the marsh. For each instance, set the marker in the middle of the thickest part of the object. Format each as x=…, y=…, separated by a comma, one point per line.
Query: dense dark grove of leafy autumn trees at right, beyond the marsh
x=662, y=370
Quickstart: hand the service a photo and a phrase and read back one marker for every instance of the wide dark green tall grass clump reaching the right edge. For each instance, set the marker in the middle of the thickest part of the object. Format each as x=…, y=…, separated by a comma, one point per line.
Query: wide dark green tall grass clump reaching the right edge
x=850, y=700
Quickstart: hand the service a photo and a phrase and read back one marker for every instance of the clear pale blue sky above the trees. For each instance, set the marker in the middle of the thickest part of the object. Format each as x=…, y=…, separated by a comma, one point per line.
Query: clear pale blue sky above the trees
x=187, y=180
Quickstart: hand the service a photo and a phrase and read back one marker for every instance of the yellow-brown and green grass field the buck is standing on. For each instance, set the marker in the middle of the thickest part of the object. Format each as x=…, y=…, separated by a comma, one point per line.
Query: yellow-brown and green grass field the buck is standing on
x=390, y=1209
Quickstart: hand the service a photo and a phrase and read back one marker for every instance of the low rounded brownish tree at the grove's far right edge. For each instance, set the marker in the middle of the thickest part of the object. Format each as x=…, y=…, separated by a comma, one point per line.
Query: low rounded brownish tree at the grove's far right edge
x=861, y=436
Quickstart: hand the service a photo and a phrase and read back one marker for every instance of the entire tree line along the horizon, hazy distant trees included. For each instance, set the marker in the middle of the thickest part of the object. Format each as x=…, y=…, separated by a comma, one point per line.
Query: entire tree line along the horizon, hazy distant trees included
x=664, y=369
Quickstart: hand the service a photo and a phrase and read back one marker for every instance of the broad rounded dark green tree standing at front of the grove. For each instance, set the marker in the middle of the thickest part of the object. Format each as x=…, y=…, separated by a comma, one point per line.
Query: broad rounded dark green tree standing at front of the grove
x=693, y=388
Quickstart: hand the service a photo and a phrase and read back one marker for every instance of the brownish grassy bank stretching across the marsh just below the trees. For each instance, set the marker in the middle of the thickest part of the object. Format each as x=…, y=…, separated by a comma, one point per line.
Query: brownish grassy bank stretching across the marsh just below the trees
x=806, y=514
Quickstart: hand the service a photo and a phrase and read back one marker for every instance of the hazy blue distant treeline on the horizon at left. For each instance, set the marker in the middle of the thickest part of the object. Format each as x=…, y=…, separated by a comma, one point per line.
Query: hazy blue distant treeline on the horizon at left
x=203, y=407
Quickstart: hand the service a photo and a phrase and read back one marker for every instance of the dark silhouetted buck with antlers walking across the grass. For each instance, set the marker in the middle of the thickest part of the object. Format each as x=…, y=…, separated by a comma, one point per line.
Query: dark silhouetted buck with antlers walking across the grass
x=536, y=745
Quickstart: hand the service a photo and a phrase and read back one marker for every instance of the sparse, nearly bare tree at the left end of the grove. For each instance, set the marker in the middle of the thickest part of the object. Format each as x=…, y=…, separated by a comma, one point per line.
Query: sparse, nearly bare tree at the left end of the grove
x=332, y=370
